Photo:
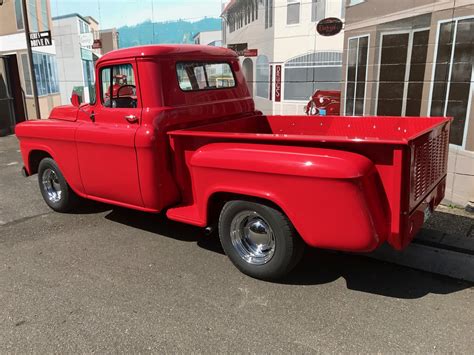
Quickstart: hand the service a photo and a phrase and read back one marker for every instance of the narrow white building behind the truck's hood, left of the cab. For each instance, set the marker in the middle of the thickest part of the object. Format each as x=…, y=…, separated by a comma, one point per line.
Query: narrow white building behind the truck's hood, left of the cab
x=73, y=35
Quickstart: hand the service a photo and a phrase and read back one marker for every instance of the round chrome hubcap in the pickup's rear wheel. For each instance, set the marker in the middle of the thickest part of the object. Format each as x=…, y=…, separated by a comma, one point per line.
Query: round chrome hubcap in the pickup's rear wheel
x=252, y=238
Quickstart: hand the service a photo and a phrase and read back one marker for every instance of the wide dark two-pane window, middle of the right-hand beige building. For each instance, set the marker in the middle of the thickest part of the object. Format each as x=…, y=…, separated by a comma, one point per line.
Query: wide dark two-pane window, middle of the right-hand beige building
x=402, y=72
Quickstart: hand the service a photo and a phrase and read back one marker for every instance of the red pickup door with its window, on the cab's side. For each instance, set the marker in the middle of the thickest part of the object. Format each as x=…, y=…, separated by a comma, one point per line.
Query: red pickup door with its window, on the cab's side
x=106, y=141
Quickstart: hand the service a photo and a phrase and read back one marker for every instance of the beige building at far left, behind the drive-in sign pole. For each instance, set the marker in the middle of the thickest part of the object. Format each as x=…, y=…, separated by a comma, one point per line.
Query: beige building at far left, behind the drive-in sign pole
x=16, y=91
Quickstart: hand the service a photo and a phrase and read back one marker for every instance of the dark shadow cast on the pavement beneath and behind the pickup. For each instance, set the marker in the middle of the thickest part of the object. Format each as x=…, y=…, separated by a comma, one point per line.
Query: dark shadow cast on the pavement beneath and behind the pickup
x=317, y=266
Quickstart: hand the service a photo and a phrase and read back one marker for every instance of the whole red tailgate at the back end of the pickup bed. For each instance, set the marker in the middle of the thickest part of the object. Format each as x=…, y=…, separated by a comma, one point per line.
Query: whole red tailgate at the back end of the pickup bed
x=428, y=162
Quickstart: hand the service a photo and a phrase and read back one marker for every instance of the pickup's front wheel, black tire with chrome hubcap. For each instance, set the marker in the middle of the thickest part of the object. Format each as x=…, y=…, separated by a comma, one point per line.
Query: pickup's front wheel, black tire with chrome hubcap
x=66, y=200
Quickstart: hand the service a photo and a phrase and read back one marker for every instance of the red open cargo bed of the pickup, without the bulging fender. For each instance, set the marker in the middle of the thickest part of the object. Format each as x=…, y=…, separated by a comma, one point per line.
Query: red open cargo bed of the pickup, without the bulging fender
x=409, y=153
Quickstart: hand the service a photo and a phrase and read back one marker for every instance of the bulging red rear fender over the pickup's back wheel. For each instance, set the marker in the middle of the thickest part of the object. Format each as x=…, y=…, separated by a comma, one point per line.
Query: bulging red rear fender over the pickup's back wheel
x=324, y=192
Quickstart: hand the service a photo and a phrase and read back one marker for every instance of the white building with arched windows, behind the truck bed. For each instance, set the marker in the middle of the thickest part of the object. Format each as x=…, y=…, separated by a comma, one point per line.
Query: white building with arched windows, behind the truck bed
x=283, y=57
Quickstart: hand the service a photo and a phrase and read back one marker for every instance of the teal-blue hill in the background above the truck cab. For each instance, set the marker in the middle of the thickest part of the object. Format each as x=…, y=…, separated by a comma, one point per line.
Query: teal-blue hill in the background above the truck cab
x=179, y=31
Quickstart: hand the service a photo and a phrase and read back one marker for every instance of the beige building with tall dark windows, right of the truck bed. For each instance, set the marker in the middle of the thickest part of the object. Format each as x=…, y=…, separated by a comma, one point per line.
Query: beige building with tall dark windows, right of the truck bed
x=415, y=58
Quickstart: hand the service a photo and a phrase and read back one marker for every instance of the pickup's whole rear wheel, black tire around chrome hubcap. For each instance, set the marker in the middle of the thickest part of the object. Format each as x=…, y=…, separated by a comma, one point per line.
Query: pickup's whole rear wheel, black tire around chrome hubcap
x=287, y=246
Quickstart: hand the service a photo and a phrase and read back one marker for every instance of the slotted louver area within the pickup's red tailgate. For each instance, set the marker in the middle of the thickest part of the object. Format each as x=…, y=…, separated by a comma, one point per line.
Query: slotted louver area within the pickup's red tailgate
x=430, y=163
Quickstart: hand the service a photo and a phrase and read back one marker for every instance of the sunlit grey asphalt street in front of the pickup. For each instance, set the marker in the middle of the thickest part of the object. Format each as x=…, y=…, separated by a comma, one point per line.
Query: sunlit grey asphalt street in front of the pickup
x=107, y=279
